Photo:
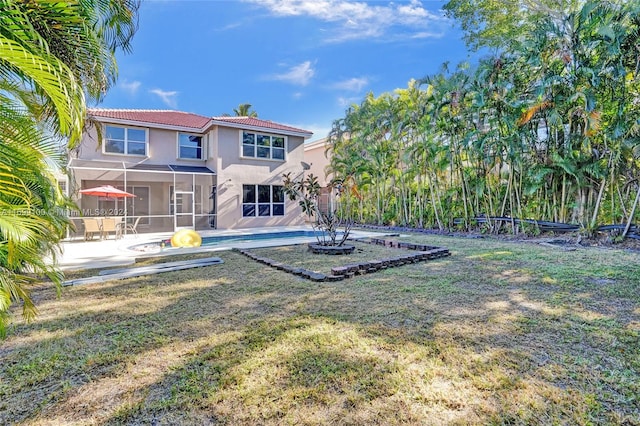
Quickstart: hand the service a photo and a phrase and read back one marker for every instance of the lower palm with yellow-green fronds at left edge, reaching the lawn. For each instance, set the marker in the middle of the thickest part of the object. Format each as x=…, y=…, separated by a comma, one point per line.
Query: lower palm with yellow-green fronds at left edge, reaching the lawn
x=33, y=218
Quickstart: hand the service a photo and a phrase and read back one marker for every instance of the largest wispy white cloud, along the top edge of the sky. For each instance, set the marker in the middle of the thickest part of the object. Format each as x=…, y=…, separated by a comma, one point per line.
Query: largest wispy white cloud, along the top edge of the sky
x=359, y=20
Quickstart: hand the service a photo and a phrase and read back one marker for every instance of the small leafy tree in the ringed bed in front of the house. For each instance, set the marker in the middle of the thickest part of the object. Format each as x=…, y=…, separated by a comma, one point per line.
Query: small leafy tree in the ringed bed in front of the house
x=307, y=191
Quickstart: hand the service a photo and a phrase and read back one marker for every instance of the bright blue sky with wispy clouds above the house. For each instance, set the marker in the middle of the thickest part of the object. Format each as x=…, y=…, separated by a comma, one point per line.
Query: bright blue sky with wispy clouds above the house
x=298, y=62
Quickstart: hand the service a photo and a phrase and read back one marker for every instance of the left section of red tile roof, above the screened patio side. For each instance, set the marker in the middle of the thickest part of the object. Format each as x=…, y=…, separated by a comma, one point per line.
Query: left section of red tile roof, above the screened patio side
x=165, y=117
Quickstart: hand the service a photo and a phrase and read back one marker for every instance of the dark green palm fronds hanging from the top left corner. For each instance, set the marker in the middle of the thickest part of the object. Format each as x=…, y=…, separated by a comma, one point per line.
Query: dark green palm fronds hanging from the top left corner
x=83, y=35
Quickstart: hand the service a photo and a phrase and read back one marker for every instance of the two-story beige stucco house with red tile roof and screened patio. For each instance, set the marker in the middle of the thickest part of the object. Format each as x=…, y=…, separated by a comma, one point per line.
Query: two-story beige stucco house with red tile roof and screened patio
x=188, y=170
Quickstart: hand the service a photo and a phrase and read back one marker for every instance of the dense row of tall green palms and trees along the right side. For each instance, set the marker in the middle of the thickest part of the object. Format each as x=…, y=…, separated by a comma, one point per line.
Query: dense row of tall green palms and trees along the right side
x=547, y=130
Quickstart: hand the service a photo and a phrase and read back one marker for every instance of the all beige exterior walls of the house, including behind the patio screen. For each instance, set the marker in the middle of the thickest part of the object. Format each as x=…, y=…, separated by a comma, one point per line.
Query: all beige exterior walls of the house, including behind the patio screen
x=223, y=147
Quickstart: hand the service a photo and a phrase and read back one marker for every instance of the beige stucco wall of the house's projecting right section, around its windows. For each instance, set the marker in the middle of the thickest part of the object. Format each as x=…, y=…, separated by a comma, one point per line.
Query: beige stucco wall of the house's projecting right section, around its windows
x=234, y=171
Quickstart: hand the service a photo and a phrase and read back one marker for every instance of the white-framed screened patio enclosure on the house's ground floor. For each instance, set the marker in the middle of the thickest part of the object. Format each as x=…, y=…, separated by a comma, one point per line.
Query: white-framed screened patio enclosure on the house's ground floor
x=167, y=197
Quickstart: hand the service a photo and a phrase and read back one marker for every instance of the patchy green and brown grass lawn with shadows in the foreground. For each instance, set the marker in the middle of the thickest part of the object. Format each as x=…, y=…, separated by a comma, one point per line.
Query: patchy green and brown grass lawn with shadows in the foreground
x=498, y=333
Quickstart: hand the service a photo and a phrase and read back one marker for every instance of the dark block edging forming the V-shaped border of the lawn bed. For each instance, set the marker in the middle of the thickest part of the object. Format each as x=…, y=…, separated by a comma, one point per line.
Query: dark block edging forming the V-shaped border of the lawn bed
x=339, y=273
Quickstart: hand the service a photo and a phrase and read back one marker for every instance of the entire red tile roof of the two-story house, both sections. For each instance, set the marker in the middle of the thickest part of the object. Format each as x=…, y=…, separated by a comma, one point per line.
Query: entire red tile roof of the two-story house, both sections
x=190, y=120
